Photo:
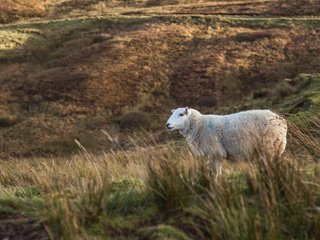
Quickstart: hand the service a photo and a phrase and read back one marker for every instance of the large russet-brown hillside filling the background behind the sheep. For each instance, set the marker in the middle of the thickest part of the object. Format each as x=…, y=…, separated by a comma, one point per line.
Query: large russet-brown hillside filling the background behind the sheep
x=77, y=71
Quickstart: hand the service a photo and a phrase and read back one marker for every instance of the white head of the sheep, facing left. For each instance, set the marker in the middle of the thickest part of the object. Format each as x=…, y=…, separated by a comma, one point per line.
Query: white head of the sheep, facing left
x=178, y=119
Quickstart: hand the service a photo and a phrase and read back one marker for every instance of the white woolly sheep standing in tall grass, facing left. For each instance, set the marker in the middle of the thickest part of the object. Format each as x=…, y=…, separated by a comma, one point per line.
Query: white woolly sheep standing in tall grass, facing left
x=246, y=135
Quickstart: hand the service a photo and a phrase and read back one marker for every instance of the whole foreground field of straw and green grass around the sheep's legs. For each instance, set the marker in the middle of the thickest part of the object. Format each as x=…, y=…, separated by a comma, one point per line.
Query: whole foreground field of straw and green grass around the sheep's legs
x=158, y=192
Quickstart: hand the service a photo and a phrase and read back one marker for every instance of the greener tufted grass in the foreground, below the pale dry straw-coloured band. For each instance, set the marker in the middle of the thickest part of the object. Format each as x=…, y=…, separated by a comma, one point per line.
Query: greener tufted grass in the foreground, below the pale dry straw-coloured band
x=178, y=201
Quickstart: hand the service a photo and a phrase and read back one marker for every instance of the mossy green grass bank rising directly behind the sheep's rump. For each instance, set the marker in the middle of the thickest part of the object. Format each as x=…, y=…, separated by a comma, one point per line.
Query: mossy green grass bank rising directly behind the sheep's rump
x=297, y=98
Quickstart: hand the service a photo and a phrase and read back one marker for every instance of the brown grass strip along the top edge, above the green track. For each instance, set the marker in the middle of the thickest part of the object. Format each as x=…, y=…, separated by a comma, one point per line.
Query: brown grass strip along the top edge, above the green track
x=13, y=10
